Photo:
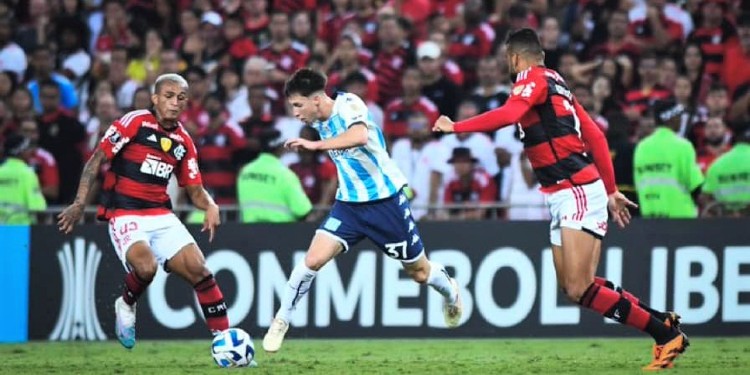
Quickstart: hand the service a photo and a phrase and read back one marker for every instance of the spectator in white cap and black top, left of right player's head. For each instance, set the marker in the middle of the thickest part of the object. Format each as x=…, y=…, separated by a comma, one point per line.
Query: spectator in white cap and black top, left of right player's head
x=435, y=86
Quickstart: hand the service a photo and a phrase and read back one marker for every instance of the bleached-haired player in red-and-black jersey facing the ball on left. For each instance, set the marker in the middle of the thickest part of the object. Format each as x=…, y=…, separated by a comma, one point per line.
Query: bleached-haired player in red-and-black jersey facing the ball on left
x=145, y=148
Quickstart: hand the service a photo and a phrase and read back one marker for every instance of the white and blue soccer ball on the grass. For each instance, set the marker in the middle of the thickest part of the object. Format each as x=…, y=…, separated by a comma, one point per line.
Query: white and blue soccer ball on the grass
x=233, y=348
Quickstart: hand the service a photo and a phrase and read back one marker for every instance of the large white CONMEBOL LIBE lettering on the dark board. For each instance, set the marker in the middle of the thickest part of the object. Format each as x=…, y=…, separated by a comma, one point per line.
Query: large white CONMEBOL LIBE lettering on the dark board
x=376, y=292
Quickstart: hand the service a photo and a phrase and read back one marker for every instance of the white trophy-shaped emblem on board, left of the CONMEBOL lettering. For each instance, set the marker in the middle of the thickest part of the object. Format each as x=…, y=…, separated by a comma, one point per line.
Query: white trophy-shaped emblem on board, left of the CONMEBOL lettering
x=78, y=319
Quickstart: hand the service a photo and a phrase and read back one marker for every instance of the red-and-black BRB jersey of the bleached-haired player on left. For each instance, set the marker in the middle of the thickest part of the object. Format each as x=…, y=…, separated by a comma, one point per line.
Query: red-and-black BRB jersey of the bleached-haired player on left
x=143, y=157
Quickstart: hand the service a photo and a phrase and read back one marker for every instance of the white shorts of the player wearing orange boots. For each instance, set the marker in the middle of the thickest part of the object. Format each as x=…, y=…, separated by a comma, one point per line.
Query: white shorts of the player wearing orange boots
x=581, y=208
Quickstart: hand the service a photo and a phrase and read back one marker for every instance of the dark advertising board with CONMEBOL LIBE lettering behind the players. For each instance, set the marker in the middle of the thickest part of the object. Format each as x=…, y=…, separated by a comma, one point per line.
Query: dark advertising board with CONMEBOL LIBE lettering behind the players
x=65, y=286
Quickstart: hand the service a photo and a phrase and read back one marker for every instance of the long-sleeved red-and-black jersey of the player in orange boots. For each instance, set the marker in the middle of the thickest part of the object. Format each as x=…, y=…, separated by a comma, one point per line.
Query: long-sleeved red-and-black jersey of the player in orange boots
x=556, y=131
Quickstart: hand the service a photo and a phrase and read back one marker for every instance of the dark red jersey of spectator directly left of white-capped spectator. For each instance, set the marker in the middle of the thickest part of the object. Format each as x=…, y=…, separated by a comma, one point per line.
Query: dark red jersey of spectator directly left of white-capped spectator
x=389, y=67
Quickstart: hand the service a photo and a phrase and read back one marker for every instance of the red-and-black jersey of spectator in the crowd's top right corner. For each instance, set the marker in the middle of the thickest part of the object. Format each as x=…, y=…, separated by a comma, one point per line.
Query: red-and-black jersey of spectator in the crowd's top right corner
x=713, y=41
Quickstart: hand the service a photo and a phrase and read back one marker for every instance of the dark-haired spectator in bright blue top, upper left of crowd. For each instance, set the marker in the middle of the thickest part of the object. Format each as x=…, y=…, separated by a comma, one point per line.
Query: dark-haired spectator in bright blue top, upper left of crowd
x=42, y=63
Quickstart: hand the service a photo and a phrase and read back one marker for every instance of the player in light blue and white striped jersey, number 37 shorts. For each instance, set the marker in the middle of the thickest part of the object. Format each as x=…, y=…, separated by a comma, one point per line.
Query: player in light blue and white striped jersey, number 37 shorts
x=370, y=202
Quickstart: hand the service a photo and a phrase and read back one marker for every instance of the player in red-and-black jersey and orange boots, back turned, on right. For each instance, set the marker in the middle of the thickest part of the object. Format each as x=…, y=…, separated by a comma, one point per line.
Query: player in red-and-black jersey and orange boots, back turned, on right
x=558, y=135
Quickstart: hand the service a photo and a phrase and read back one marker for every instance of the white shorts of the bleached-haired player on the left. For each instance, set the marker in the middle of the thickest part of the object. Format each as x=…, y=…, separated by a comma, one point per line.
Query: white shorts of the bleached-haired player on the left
x=165, y=235
